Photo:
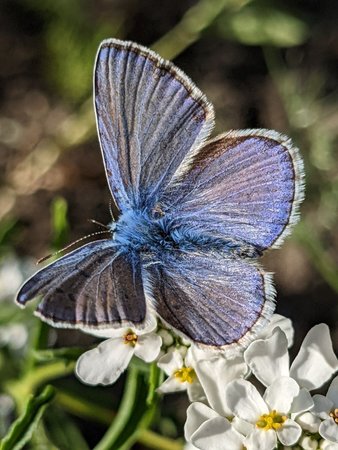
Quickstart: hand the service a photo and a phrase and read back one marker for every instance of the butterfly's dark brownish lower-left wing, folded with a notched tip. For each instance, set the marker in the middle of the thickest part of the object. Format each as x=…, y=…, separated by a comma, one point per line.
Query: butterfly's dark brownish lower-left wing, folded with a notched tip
x=91, y=287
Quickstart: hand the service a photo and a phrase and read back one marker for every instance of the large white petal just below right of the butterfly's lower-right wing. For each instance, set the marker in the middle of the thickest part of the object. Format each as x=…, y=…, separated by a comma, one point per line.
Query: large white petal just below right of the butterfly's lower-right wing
x=269, y=358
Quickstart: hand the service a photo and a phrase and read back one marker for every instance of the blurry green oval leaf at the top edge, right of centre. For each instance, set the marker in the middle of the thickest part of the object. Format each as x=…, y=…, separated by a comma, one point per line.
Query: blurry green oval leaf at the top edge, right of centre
x=262, y=23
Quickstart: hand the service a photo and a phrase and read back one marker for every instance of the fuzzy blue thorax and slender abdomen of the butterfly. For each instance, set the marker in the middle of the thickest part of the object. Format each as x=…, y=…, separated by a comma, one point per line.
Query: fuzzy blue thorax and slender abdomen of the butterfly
x=152, y=232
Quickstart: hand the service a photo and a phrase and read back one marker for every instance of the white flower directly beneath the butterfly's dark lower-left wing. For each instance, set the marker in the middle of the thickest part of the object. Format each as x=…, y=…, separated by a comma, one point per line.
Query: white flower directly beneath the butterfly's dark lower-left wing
x=105, y=363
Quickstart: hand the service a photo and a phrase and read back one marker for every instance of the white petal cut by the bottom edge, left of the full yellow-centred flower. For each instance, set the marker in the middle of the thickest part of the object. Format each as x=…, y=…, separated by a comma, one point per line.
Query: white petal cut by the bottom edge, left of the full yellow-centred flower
x=217, y=434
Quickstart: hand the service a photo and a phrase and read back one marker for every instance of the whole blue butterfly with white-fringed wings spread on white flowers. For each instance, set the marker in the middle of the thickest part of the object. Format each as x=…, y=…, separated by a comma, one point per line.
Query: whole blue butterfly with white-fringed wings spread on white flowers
x=194, y=215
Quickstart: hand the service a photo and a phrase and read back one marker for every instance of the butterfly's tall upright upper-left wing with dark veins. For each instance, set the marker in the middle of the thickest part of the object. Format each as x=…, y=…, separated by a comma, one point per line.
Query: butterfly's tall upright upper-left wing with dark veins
x=149, y=116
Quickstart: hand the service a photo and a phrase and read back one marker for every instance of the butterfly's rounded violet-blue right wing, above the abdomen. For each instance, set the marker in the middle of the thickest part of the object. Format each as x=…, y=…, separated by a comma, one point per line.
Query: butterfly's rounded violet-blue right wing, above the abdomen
x=246, y=185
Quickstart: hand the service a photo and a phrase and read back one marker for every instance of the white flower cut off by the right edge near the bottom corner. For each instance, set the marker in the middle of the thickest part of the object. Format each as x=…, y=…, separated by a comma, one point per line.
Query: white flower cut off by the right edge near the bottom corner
x=326, y=407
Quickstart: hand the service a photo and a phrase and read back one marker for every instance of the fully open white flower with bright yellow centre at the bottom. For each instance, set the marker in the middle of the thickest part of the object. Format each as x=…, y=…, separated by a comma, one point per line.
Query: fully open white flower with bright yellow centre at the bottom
x=269, y=417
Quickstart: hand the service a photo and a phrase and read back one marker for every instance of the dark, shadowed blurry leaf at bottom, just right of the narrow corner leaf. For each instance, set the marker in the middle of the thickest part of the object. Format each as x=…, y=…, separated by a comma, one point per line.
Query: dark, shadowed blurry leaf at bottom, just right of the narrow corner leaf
x=62, y=431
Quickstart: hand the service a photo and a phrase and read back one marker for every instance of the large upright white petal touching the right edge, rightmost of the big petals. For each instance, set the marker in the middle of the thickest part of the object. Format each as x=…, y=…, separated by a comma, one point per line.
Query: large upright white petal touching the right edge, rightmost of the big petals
x=316, y=361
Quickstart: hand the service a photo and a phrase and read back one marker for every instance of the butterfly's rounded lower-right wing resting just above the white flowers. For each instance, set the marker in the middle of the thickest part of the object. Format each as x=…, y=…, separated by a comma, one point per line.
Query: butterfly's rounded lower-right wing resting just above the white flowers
x=213, y=300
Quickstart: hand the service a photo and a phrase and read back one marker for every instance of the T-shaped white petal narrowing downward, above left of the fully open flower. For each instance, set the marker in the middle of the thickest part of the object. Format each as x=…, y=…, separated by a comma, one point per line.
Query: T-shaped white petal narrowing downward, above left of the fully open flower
x=214, y=374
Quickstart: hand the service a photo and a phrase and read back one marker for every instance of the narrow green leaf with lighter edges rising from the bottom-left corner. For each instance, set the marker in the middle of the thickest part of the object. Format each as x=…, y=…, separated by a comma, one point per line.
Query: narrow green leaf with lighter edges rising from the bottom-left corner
x=22, y=429
